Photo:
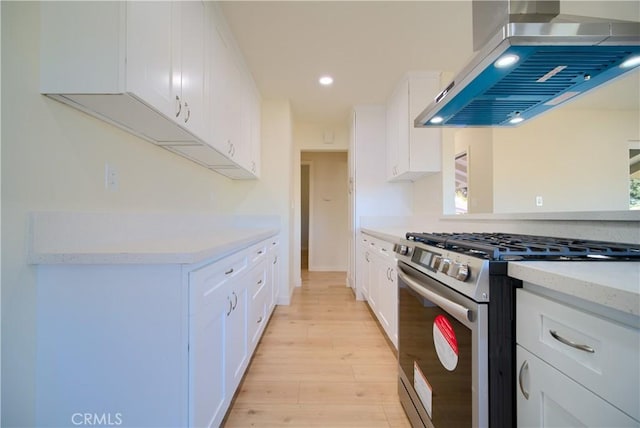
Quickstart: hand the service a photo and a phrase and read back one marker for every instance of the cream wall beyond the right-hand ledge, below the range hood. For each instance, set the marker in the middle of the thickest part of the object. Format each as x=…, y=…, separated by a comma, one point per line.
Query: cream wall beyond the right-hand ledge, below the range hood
x=577, y=161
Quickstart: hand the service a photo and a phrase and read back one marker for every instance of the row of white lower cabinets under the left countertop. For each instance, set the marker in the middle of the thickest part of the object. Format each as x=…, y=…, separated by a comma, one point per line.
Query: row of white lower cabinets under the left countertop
x=149, y=345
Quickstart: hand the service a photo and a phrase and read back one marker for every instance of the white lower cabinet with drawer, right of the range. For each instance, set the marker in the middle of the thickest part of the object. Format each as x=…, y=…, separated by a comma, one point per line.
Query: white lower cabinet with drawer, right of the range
x=575, y=368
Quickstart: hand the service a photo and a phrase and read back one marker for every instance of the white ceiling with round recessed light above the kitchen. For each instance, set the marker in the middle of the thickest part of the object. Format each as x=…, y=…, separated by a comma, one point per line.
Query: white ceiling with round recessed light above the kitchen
x=366, y=46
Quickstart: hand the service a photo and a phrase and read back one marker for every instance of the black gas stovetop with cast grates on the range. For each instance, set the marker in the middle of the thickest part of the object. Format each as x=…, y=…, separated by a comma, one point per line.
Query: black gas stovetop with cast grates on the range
x=512, y=247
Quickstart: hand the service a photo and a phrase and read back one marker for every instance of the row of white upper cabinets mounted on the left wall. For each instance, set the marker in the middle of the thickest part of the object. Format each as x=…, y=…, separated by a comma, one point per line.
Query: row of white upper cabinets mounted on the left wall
x=160, y=70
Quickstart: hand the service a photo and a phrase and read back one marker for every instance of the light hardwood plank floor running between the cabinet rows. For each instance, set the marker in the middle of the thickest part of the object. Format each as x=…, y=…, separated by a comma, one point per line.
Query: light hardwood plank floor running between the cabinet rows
x=322, y=362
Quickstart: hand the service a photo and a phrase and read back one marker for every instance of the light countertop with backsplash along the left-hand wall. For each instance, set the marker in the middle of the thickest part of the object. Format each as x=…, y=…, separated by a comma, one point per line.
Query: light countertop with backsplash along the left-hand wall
x=81, y=238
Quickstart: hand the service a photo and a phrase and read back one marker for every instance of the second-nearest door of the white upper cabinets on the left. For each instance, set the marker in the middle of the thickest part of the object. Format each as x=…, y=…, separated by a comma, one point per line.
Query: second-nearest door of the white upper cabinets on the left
x=192, y=54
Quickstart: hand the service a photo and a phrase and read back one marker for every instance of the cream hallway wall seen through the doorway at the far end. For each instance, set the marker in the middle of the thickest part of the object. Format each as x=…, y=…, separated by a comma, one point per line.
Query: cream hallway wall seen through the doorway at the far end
x=328, y=223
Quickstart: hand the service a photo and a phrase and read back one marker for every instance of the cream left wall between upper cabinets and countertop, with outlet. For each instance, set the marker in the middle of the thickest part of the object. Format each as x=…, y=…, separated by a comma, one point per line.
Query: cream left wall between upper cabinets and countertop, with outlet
x=53, y=159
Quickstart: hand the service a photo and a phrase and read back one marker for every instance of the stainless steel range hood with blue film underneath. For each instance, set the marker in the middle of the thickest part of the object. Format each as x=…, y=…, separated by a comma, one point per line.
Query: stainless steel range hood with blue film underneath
x=530, y=59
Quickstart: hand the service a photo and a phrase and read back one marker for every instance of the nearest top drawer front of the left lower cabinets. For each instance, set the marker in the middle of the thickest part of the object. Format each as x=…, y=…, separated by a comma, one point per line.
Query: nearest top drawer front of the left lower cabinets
x=206, y=283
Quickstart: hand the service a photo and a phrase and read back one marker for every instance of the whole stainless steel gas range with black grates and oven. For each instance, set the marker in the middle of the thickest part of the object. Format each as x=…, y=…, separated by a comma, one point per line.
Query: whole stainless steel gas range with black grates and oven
x=456, y=321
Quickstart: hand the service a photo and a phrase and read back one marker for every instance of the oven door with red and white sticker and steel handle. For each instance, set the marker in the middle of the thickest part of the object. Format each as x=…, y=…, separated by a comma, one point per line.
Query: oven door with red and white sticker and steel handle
x=442, y=353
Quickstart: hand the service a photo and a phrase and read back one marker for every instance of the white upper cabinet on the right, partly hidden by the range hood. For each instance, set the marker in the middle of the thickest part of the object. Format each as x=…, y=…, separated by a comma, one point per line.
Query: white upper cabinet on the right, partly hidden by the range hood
x=412, y=152
